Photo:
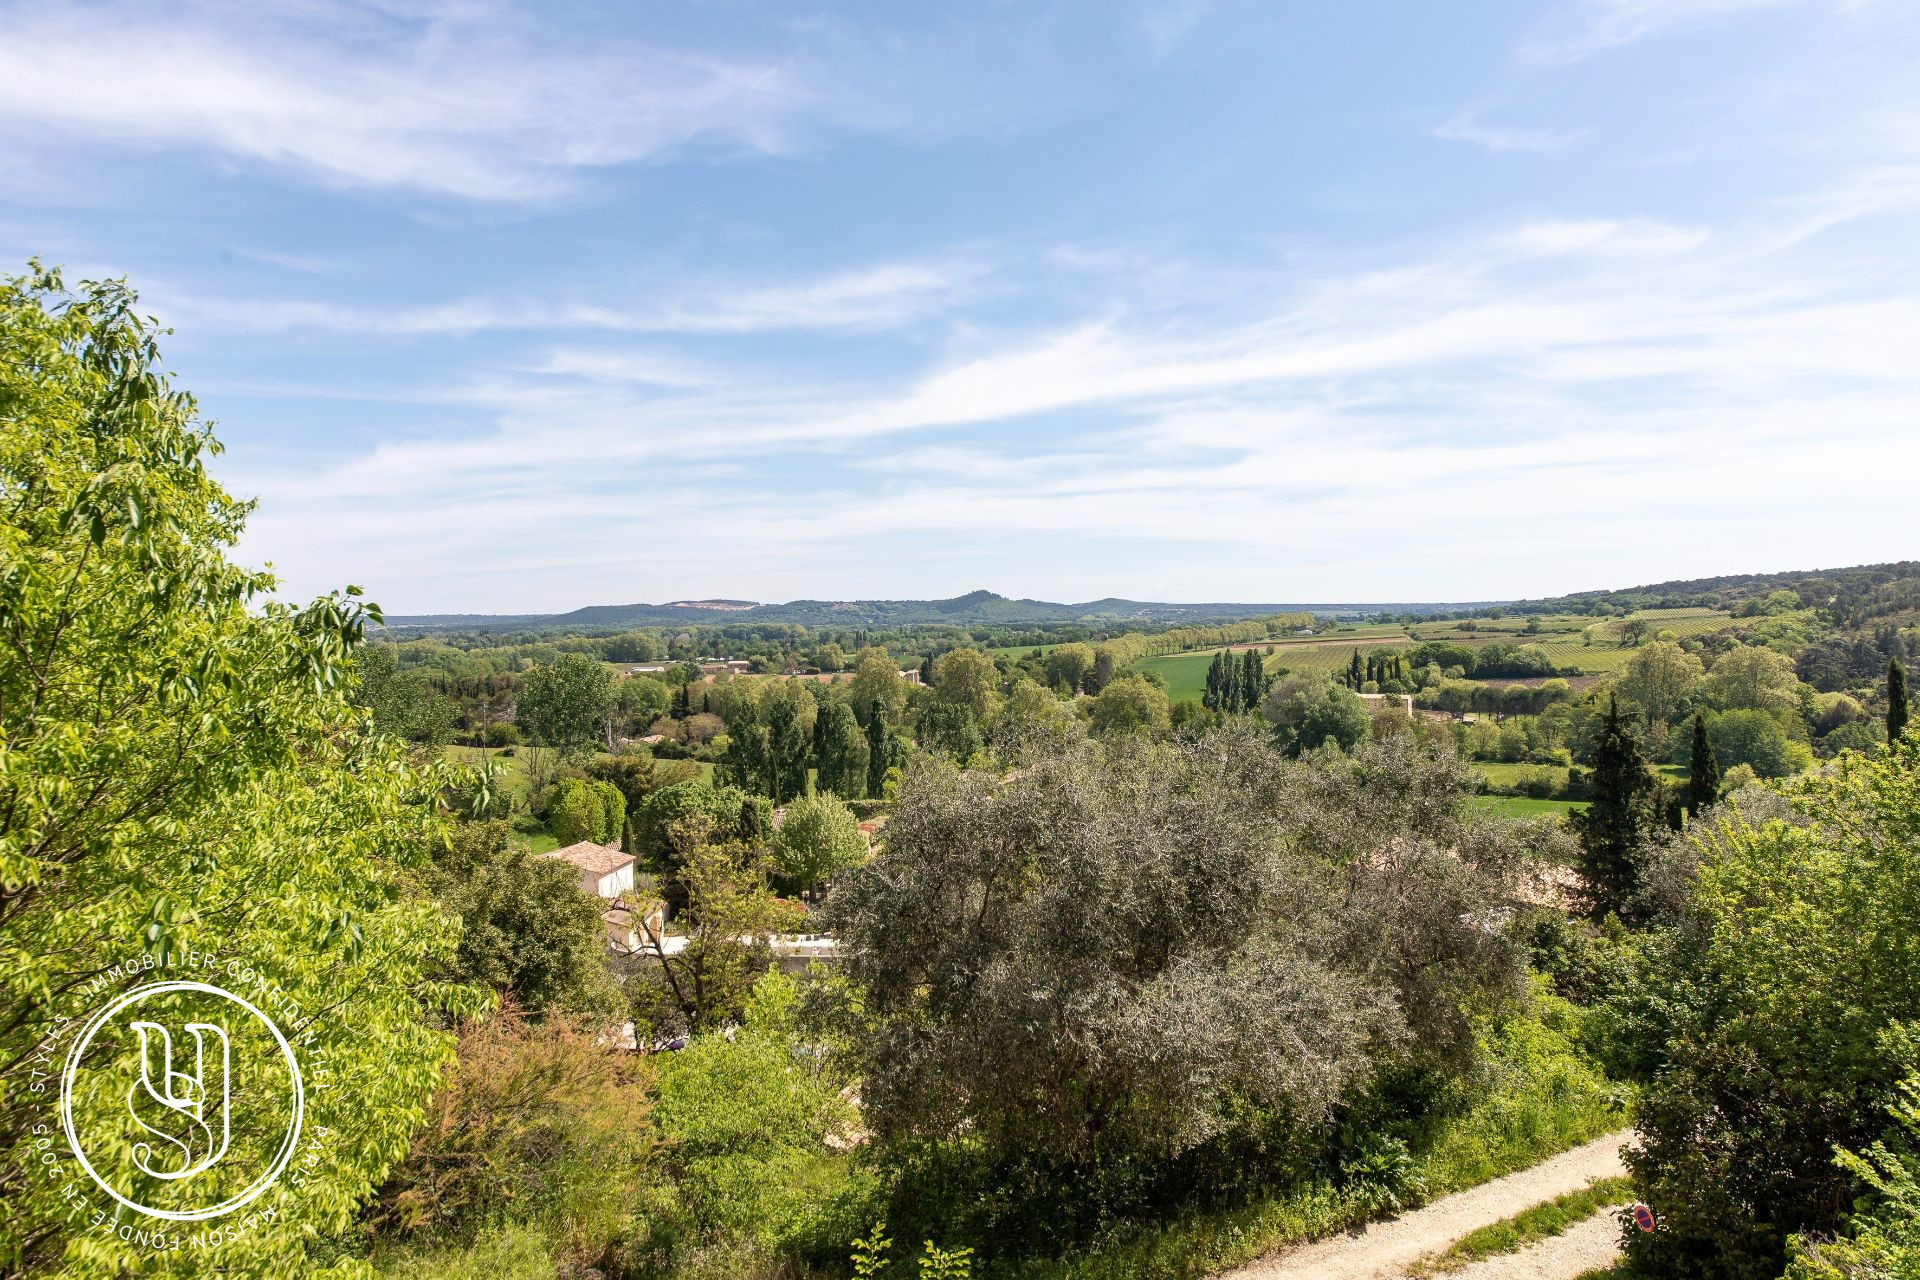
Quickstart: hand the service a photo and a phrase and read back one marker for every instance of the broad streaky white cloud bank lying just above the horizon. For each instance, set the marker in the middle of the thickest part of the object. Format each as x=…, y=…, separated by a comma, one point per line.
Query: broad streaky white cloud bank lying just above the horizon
x=1547, y=375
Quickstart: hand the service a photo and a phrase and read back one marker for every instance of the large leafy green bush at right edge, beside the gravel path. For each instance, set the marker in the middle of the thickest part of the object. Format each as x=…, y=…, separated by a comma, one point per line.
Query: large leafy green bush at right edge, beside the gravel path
x=1796, y=982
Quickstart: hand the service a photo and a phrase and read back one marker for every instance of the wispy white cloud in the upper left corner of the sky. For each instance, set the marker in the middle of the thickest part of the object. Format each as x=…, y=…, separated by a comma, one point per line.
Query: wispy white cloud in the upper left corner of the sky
x=443, y=107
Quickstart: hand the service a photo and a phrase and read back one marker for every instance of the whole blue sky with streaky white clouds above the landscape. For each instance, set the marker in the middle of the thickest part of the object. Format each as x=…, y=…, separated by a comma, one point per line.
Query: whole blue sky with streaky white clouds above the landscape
x=523, y=308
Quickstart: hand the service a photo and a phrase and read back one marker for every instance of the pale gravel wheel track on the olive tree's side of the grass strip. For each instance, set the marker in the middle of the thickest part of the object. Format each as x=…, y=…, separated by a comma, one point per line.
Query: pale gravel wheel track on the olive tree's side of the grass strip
x=1383, y=1250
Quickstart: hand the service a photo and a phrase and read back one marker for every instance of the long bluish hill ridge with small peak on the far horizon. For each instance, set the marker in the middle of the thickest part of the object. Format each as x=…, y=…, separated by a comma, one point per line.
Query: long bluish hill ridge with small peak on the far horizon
x=971, y=609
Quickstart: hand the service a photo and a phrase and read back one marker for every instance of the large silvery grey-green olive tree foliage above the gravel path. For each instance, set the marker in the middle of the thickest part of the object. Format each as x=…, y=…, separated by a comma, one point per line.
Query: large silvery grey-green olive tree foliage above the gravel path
x=1132, y=943
